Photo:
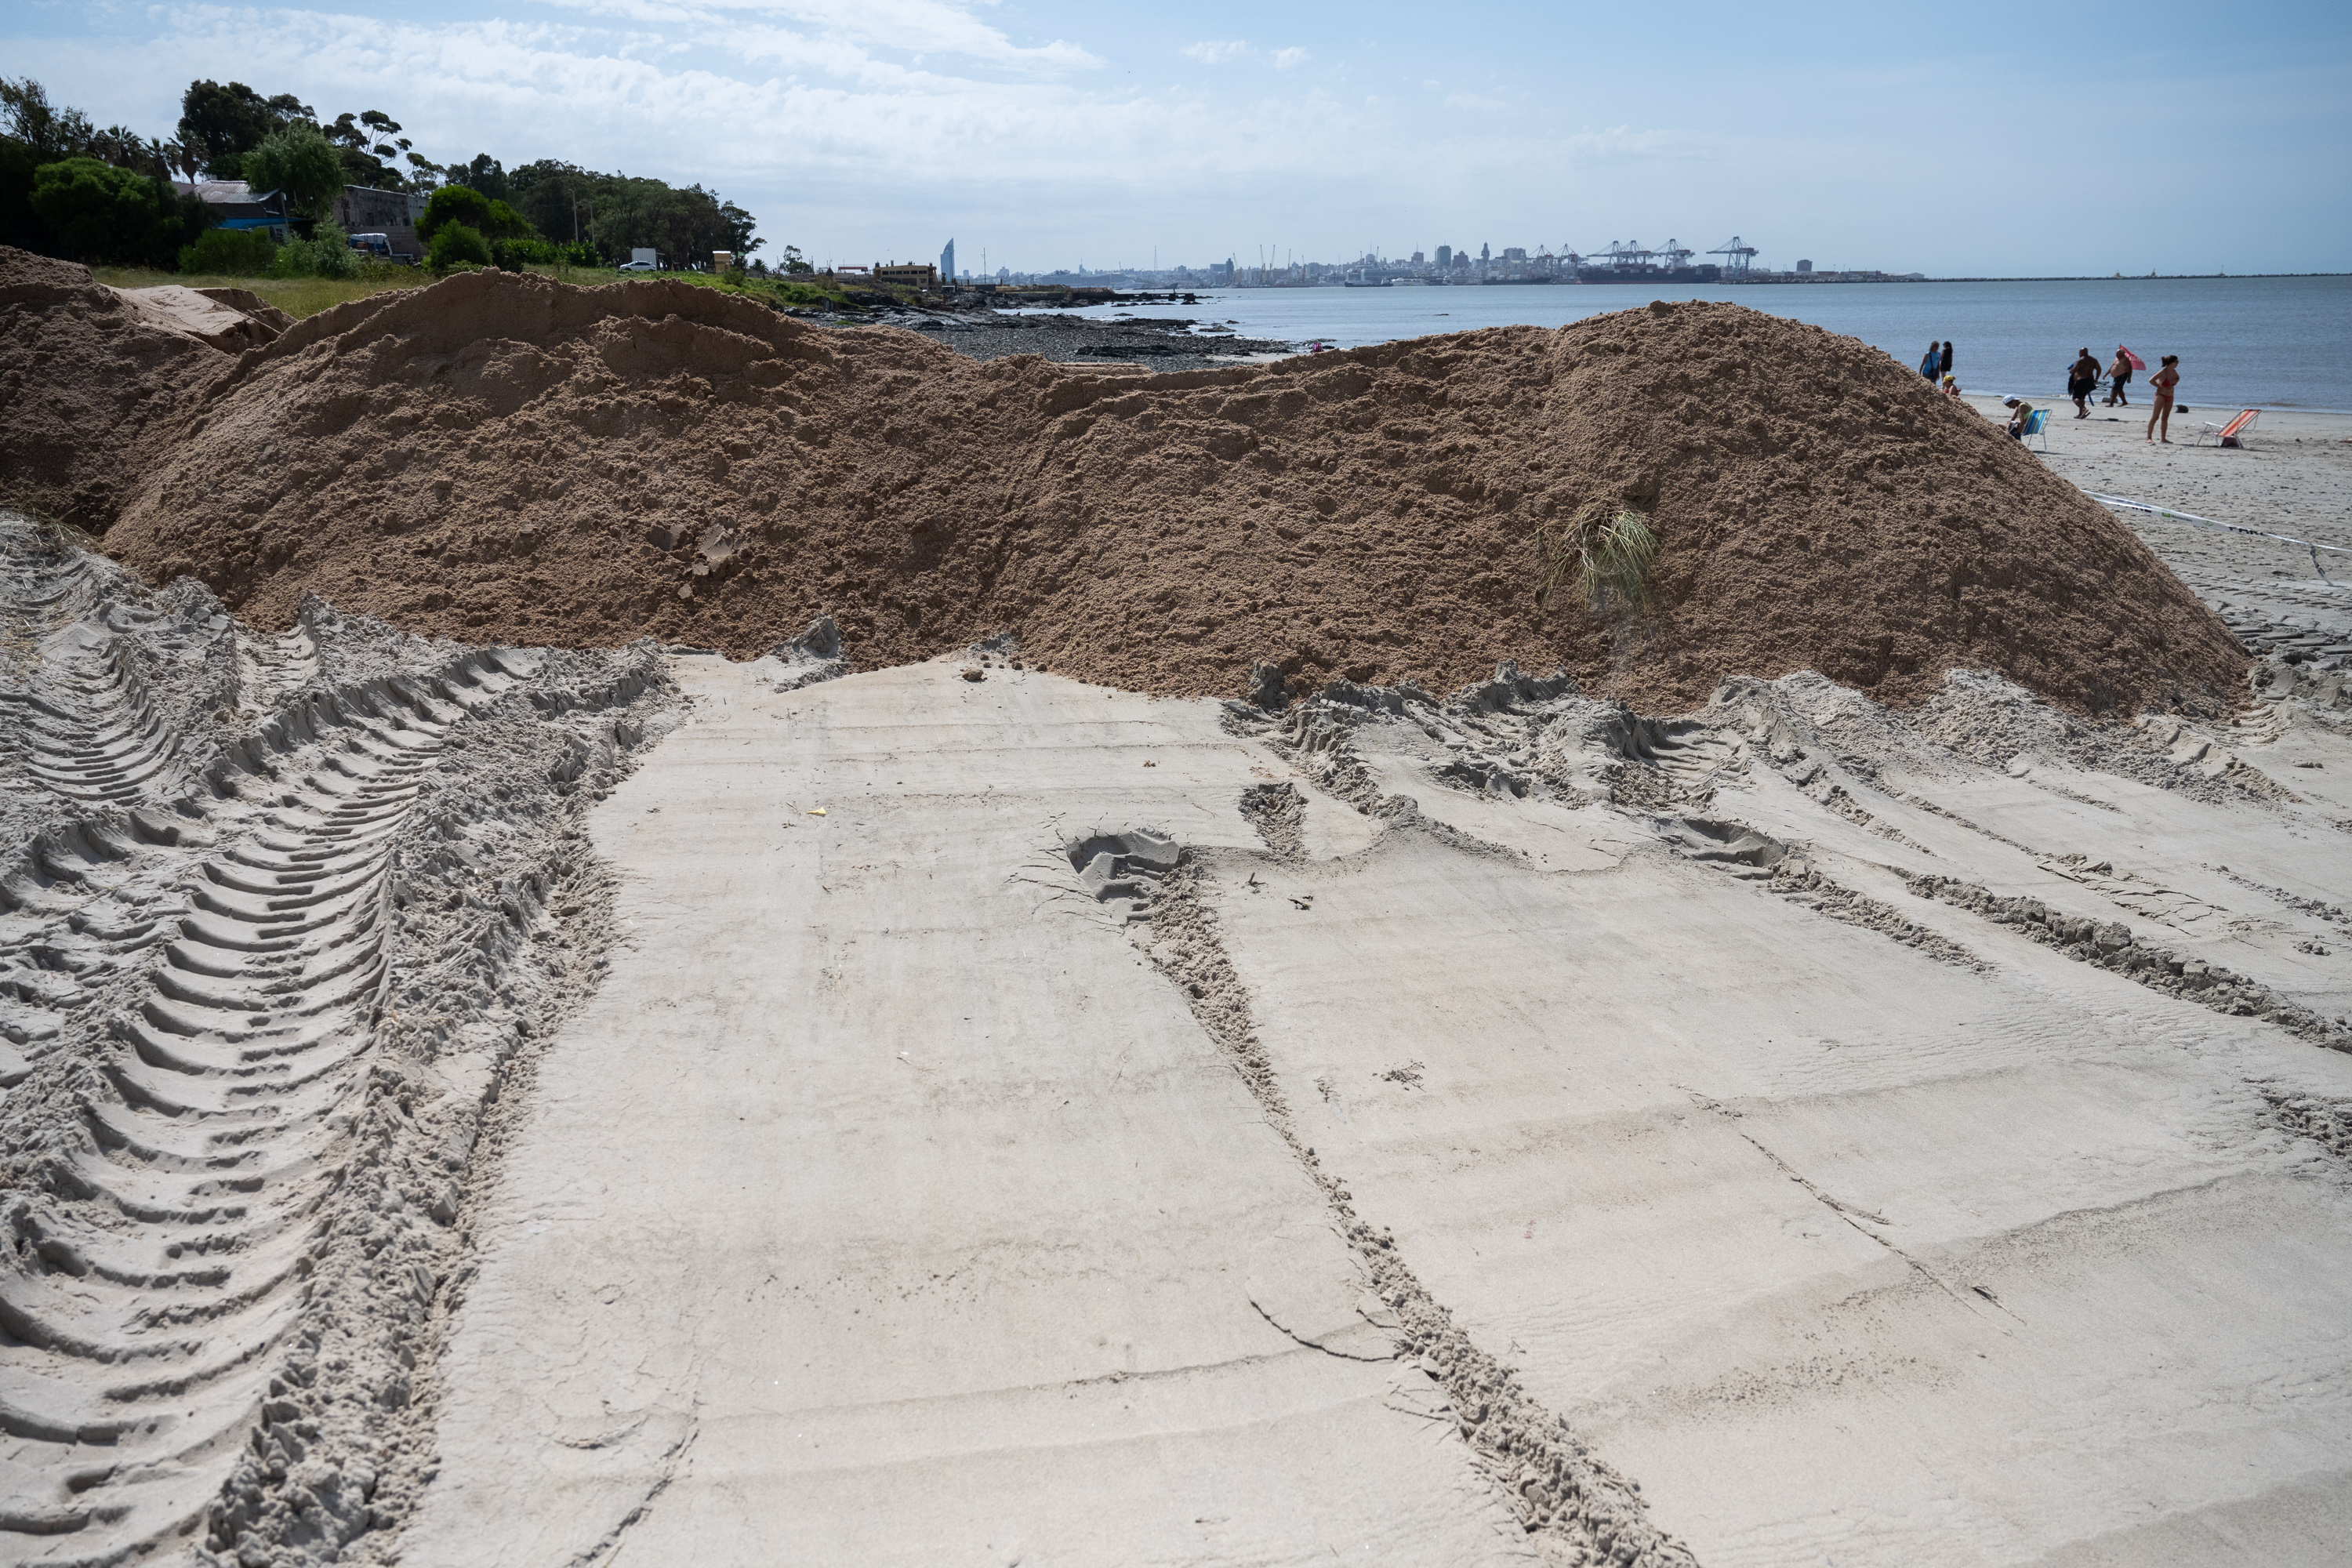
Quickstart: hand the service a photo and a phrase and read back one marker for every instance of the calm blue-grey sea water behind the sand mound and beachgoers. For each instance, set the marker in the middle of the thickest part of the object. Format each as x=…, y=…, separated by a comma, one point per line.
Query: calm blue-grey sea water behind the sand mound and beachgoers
x=2243, y=342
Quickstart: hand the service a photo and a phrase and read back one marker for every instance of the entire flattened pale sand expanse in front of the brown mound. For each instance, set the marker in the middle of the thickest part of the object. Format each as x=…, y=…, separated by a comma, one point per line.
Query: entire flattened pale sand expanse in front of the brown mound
x=1840, y=1252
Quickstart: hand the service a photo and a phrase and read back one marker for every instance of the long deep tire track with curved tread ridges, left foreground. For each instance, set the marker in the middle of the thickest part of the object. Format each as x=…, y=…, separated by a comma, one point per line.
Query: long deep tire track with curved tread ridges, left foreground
x=154, y=1266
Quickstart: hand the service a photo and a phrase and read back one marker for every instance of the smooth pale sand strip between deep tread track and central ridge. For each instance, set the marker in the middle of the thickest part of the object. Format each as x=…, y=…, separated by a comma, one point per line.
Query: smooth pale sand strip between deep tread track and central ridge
x=886, y=1207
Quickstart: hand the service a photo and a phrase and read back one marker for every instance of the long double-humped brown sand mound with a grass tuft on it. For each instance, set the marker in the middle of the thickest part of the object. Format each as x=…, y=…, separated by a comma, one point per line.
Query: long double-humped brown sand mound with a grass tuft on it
x=516, y=460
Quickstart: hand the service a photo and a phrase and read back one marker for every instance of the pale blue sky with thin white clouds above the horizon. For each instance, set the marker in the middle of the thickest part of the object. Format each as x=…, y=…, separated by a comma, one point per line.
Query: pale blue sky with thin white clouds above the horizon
x=1960, y=142
